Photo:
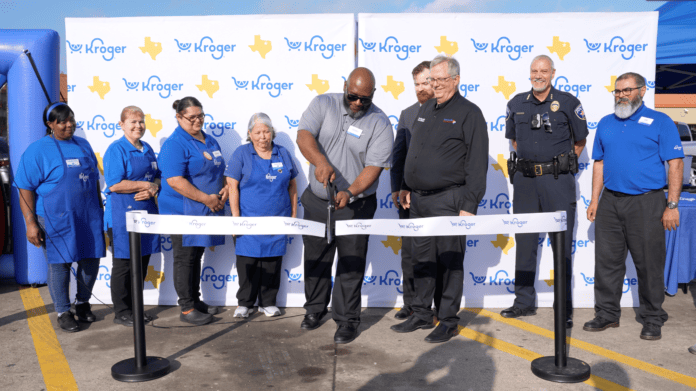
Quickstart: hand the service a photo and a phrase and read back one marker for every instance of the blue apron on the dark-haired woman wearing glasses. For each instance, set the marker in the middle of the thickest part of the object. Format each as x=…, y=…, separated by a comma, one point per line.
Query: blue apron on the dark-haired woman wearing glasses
x=210, y=180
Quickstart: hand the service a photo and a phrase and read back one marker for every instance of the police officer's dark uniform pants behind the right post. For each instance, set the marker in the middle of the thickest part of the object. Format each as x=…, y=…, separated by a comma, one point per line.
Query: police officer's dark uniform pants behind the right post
x=533, y=195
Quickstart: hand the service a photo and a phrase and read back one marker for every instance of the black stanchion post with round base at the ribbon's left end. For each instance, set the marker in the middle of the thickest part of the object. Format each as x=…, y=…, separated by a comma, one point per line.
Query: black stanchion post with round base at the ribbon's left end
x=142, y=367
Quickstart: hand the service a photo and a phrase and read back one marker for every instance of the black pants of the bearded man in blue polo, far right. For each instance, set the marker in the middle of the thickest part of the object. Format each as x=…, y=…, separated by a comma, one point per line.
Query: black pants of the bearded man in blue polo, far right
x=630, y=224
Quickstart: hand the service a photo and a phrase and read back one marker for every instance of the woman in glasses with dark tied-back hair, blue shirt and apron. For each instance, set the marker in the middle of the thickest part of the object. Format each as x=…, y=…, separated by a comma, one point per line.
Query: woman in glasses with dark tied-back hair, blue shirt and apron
x=193, y=185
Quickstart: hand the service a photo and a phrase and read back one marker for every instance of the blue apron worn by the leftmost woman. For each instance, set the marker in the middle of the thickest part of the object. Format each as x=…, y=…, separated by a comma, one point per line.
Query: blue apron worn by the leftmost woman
x=73, y=216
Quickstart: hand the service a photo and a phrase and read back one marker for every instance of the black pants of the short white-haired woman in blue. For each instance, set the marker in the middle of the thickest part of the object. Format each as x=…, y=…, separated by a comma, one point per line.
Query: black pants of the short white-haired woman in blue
x=258, y=278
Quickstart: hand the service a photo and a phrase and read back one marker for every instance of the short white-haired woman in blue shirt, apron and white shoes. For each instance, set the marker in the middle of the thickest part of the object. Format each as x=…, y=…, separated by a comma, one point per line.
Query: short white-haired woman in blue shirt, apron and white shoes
x=261, y=178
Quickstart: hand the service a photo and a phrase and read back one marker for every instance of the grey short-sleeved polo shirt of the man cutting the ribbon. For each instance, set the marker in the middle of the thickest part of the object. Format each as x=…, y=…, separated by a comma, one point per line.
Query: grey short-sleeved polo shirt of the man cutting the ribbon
x=348, y=144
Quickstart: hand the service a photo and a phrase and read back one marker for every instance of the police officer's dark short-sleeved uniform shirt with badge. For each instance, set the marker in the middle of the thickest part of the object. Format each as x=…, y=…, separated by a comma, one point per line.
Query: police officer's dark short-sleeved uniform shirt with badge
x=564, y=111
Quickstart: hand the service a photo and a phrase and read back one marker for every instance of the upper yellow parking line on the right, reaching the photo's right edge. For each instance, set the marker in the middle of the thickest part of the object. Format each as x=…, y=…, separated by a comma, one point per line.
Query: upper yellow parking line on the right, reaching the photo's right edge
x=594, y=349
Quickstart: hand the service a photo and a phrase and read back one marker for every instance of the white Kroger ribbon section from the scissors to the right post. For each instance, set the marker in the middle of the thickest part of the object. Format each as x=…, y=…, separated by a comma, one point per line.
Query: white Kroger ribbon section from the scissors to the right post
x=457, y=225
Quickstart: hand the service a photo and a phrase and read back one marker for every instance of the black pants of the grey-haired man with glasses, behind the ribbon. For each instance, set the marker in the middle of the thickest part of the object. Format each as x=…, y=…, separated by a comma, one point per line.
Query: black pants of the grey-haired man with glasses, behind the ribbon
x=438, y=261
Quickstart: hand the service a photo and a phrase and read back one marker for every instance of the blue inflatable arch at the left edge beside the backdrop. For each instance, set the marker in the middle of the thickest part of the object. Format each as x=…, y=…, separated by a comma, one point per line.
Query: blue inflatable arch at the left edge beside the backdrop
x=26, y=102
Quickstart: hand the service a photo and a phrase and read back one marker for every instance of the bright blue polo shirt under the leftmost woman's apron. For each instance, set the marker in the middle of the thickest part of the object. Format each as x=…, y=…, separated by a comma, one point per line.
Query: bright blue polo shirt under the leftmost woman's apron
x=41, y=169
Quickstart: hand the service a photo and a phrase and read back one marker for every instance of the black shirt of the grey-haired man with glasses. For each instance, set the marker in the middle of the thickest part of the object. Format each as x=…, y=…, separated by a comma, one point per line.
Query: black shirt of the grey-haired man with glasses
x=449, y=146
